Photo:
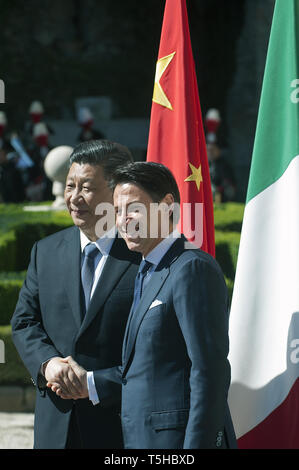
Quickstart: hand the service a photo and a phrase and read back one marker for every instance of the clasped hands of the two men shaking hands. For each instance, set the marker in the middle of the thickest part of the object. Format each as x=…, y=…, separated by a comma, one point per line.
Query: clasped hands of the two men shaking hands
x=66, y=378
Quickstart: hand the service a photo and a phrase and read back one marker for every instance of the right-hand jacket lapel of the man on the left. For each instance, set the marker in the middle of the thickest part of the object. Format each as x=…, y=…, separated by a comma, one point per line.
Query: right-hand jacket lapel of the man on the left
x=117, y=263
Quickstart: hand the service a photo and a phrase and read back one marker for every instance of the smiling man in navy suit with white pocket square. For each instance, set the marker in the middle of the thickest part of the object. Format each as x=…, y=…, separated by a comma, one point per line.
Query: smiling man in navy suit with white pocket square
x=175, y=373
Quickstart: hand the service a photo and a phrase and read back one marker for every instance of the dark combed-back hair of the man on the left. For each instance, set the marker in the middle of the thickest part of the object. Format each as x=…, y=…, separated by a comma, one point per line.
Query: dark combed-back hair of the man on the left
x=109, y=155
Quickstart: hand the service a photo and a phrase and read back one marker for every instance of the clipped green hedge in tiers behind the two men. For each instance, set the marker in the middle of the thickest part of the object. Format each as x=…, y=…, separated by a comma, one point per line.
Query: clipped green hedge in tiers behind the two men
x=18, y=232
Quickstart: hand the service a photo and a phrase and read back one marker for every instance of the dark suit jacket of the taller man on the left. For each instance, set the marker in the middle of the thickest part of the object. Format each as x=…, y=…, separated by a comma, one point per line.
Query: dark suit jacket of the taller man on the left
x=48, y=321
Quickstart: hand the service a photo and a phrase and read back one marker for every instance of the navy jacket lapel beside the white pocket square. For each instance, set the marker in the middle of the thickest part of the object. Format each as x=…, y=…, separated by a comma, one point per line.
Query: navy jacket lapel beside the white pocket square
x=155, y=284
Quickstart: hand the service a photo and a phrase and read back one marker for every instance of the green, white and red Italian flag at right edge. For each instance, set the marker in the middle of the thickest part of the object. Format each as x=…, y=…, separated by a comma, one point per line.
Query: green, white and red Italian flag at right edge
x=264, y=319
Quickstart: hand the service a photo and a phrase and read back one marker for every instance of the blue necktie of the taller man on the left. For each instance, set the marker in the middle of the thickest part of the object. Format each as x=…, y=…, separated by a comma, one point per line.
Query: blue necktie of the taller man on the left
x=88, y=269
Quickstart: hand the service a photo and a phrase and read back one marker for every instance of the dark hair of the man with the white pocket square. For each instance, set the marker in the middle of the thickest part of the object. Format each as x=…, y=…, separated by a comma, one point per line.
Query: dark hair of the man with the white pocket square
x=154, y=178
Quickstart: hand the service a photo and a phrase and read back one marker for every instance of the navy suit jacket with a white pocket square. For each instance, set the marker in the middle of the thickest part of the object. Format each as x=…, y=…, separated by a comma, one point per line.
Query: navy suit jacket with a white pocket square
x=175, y=373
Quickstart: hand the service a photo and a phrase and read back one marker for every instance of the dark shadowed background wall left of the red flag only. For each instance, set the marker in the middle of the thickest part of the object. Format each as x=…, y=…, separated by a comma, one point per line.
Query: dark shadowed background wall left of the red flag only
x=57, y=51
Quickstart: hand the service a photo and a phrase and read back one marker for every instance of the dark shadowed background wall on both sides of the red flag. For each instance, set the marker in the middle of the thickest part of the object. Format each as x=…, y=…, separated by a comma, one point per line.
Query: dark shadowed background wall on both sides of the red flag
x=58, y=51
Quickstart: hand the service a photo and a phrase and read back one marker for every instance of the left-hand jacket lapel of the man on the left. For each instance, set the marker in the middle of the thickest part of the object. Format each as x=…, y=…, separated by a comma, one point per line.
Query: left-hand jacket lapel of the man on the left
x=71, y=261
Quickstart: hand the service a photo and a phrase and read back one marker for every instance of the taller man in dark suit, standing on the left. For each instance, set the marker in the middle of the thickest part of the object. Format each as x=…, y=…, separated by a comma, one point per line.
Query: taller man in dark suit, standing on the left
x=65, y=309
